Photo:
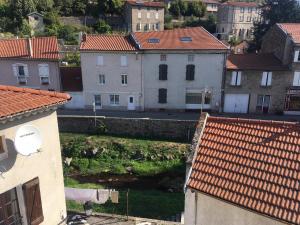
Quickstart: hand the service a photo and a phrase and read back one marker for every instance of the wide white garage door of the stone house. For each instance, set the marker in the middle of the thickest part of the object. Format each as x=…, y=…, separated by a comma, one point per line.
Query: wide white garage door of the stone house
x=236, y=103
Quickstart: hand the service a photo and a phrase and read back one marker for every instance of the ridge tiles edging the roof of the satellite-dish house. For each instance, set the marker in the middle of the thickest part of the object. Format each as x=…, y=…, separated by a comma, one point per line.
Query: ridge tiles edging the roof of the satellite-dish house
x=34, y=91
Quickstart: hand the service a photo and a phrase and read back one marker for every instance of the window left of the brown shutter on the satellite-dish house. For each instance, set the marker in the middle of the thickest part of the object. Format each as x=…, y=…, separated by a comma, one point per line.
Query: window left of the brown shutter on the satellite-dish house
x=9, y=208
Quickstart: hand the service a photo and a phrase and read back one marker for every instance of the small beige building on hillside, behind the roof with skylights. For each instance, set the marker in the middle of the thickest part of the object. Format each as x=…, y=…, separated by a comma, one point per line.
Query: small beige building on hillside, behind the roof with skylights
x=143, y=16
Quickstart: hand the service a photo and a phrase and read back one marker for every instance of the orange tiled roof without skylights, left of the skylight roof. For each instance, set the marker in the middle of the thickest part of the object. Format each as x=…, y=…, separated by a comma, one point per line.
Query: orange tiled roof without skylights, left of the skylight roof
x=107, y=43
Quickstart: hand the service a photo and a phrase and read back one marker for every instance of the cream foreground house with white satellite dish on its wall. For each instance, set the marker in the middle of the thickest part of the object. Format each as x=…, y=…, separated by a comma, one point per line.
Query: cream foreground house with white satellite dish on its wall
x=31, y=187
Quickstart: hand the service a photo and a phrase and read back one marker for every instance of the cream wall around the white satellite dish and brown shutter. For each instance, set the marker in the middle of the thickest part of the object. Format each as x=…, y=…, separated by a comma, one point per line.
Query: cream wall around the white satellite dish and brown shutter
x=46, y=165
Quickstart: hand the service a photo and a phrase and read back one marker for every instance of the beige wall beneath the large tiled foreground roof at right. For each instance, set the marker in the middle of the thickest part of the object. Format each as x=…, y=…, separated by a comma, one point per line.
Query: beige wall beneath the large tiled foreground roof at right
x=211, y=211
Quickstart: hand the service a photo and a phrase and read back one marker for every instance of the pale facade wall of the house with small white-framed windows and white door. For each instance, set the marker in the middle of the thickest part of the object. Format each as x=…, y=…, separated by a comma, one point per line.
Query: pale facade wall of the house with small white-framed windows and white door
x=112, y=69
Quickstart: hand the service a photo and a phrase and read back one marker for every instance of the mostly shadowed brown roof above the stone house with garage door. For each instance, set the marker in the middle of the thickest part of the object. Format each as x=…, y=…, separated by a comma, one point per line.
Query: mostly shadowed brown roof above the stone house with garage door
x=254, y=61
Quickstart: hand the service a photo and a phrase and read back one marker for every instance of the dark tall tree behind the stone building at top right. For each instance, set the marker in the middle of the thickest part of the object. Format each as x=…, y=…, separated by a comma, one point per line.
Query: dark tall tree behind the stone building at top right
x=272, y=12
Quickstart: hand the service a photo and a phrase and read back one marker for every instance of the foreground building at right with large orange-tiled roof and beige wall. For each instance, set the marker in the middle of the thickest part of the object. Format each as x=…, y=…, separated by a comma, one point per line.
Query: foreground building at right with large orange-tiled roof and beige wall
x=238, y=175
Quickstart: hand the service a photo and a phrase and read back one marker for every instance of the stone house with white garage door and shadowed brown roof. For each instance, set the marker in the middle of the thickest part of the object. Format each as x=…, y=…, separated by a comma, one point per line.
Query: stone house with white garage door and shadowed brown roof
x=256, y=83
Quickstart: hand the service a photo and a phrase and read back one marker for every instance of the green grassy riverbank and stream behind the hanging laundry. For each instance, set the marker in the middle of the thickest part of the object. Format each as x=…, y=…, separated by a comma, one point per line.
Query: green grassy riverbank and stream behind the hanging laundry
x=151, y=172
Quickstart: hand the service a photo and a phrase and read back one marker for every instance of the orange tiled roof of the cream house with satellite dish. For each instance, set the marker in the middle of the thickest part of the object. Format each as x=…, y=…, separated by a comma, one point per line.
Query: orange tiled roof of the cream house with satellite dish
x=15, y=100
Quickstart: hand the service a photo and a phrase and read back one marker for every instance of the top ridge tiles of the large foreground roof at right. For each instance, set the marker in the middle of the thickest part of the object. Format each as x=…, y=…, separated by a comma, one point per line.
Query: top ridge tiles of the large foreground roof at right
x=248, y=120
